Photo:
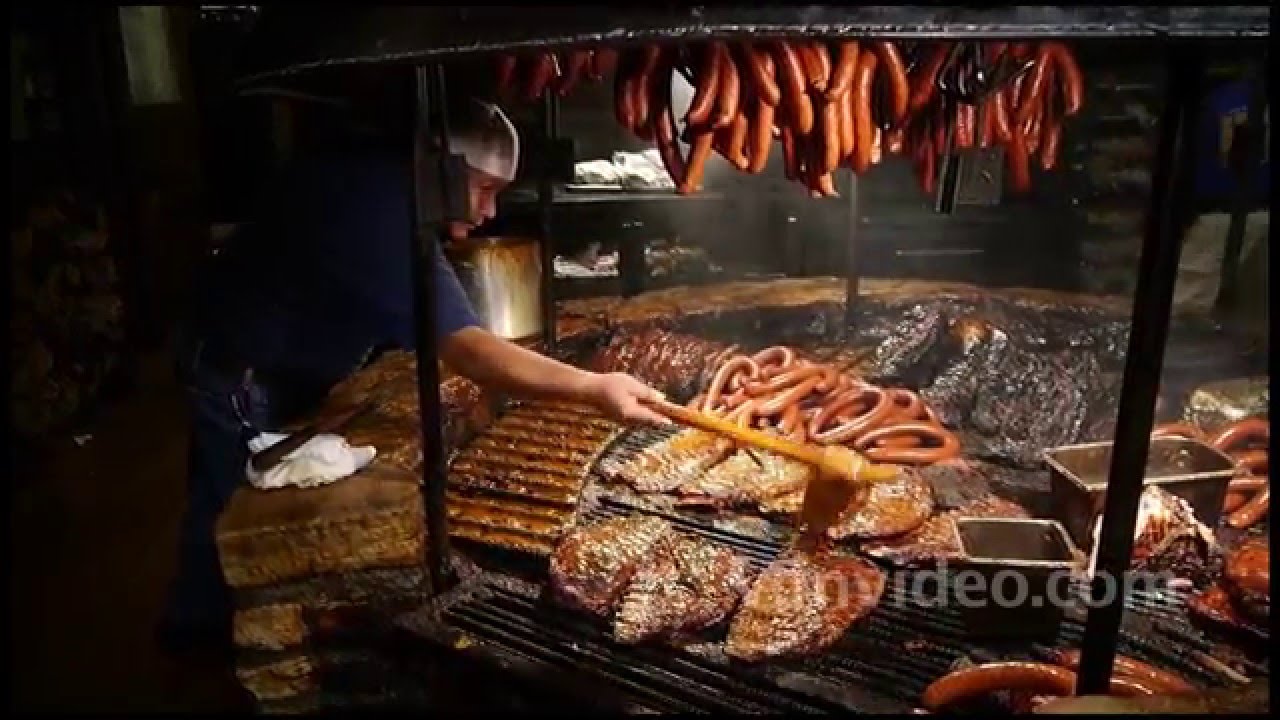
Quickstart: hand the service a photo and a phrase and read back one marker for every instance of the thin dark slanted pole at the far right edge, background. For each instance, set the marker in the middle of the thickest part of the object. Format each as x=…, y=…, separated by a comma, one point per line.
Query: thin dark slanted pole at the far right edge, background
x=1246, y=160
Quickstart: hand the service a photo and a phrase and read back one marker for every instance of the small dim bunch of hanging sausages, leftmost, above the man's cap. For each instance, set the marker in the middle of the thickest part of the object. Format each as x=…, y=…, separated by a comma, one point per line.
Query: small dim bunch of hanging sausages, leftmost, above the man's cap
x=531, y=78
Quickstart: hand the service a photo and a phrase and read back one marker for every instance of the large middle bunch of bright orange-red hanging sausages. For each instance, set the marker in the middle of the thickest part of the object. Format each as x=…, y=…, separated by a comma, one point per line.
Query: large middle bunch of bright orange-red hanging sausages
x=813, y=98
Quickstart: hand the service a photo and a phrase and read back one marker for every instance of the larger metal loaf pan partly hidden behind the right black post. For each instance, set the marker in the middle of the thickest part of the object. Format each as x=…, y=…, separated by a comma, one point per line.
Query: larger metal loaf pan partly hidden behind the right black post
x=1187, y=468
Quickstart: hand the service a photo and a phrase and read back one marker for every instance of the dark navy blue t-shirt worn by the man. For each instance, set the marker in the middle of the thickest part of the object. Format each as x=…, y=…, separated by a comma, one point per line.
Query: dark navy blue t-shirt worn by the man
x=324, y=275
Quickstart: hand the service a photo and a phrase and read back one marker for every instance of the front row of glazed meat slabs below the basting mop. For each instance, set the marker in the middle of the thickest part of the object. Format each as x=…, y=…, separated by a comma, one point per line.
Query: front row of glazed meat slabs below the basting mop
x=656, y=584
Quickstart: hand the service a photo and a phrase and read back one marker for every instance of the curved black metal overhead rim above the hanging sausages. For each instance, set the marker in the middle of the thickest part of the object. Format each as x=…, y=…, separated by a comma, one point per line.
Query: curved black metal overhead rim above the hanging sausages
x=289, y=42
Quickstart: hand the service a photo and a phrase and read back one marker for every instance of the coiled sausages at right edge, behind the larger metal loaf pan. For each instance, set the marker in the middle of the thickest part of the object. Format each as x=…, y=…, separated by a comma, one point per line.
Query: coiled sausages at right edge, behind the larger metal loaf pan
x=1249, y=496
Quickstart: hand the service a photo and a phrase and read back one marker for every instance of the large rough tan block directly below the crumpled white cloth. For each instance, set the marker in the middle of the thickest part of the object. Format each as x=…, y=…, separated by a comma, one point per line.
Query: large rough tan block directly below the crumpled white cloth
x=373, y=518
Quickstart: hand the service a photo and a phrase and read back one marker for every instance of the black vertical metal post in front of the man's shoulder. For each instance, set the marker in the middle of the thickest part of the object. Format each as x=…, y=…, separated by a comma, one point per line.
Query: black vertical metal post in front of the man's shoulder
x=428, y=97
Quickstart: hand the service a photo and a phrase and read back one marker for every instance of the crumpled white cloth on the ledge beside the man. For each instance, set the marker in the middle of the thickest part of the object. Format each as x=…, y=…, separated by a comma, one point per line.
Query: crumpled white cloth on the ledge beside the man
x=322, y=461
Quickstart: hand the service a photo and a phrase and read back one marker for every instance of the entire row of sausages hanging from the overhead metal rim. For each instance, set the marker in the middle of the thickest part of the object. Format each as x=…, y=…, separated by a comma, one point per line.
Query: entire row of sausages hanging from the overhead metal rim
x=828, y=104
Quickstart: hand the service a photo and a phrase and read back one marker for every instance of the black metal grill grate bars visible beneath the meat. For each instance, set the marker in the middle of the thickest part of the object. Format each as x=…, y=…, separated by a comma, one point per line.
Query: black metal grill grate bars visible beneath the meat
x=881, y=666
